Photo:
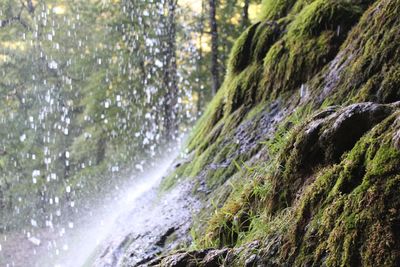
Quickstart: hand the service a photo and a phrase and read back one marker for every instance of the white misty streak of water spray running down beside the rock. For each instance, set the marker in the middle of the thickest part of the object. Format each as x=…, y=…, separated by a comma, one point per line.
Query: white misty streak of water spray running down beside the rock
x=85, y=240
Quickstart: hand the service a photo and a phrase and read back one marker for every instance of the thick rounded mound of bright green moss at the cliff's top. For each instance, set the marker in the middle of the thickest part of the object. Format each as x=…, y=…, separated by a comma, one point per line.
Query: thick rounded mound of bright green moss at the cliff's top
x=311, y=41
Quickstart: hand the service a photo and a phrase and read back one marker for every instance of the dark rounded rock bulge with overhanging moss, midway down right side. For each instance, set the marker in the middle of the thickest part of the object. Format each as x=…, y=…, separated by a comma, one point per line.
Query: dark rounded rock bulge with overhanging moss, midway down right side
x=322, y=142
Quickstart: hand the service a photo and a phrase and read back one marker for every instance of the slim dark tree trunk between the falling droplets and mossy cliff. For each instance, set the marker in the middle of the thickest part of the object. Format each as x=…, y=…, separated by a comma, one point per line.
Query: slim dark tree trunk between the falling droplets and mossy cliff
x=214, y=47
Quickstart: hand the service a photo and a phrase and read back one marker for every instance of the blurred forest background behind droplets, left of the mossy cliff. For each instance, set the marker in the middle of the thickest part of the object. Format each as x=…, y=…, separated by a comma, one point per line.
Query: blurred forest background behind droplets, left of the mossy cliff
x=91, y=90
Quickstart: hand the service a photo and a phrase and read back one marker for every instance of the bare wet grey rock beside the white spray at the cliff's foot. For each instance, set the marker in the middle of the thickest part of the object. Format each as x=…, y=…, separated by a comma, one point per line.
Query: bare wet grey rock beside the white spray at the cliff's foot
x=159, y=225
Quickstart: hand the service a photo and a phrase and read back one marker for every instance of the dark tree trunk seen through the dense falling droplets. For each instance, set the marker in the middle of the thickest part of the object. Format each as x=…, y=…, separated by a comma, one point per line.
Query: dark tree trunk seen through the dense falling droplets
x=170, y=73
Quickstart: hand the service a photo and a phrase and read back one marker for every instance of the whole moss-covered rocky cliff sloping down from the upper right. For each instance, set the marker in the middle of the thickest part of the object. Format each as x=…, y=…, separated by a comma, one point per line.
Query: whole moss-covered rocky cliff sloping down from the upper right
x=297, y=158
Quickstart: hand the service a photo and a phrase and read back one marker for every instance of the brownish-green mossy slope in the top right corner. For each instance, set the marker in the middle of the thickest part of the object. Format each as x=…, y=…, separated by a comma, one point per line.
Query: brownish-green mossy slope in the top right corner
x=369, y=61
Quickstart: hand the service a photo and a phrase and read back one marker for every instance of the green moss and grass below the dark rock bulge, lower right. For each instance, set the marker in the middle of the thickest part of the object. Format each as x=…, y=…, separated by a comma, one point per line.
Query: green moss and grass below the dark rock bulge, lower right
x=336, y=209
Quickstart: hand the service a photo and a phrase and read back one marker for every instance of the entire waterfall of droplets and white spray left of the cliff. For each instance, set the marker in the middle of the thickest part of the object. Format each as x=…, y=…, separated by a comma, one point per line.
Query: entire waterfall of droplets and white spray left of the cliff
x=89, y=91
